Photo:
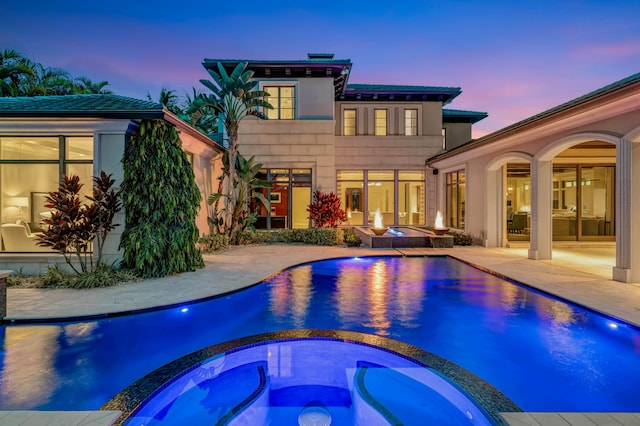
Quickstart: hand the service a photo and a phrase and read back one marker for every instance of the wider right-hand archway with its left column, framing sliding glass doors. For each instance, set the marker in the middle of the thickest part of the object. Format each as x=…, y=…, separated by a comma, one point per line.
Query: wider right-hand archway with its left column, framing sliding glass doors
x=574, y=196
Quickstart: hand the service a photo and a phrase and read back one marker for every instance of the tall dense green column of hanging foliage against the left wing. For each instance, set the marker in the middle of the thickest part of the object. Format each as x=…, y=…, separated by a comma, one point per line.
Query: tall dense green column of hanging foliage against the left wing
x=161, y=201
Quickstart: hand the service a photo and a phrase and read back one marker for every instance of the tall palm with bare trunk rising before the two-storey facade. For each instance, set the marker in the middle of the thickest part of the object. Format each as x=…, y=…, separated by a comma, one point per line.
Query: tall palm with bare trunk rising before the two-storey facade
x=234, y=98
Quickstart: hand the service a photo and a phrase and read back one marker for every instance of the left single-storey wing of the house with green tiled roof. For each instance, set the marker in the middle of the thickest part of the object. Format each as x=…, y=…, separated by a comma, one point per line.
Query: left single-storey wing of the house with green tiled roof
x=42, y=138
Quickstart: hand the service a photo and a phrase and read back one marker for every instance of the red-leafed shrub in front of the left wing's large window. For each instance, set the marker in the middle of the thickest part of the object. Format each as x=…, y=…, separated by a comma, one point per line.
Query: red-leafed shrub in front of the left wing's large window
x=73, y=226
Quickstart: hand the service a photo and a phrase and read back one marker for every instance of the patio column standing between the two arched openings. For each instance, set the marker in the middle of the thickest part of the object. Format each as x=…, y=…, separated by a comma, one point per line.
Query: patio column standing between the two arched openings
x=541, y=176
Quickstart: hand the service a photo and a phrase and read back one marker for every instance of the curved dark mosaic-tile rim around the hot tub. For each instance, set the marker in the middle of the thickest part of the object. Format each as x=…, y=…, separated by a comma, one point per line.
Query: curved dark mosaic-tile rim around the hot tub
x=487, y=397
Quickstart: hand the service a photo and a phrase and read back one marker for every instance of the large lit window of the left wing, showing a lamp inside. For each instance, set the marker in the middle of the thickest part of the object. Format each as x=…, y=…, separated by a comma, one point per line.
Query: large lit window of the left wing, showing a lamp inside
x=30, y=168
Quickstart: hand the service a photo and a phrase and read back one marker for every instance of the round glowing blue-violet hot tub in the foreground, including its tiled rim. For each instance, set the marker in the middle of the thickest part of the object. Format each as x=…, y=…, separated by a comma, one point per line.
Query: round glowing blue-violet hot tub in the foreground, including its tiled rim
x=305, y=377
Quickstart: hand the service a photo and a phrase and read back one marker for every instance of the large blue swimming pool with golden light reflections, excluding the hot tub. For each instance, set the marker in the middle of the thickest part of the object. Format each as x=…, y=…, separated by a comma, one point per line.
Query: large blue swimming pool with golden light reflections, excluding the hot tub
x=543, y=353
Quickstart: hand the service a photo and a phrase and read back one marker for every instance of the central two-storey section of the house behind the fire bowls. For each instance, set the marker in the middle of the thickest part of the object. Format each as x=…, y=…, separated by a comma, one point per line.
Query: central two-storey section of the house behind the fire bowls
x=365, y=142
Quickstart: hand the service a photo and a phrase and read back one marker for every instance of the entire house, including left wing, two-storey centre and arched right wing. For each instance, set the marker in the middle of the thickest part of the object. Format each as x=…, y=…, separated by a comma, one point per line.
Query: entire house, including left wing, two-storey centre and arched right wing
x=564, y=176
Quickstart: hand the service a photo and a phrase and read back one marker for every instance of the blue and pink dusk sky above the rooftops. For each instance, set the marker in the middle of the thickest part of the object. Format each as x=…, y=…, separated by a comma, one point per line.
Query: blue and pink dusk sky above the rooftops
x=511, y=58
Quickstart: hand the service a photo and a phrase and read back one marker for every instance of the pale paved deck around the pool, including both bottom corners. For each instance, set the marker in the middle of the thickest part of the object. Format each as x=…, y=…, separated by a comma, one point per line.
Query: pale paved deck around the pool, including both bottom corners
x=580, y=275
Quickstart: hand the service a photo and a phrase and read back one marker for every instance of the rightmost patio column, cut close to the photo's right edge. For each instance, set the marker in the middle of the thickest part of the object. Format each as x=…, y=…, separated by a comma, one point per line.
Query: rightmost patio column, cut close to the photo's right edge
x=627, y=238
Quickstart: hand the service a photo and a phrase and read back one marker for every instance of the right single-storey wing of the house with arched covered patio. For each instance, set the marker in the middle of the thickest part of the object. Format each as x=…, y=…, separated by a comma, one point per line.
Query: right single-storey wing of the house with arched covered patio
x=564, y=176
